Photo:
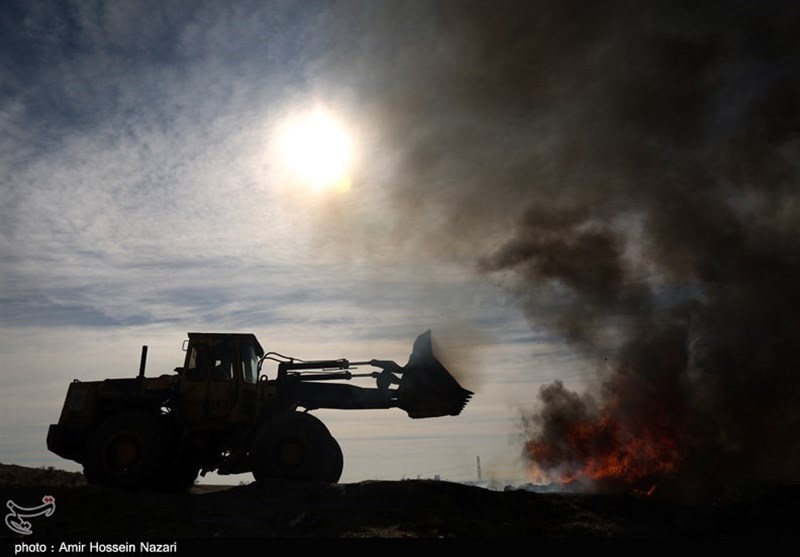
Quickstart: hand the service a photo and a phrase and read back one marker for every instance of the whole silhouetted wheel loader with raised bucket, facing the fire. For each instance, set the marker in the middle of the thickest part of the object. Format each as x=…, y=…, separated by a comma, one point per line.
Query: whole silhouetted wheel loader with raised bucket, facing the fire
x=219, y=412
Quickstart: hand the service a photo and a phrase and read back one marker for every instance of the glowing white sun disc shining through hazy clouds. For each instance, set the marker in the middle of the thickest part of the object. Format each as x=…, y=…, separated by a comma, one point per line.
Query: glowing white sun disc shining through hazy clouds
x=317, y=151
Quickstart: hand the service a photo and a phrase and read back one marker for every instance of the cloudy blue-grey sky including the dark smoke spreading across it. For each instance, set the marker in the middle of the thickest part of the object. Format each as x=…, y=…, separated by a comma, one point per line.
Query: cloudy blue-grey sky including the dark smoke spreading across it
x=538, y=183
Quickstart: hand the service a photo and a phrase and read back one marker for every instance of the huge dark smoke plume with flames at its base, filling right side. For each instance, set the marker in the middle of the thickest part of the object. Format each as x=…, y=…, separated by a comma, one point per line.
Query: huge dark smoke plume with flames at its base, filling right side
x=630, y=170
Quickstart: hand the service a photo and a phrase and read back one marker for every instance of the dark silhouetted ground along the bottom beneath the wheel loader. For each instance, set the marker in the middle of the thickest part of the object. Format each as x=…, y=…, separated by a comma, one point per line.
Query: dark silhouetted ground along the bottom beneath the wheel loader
x=382, y=509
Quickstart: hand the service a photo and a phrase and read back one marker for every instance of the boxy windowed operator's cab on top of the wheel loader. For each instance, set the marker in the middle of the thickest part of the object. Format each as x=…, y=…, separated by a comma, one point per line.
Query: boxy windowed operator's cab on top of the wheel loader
x=219, y=379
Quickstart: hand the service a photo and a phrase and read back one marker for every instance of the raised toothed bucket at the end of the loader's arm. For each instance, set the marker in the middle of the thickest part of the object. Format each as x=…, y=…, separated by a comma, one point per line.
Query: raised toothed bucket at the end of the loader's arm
x=427, y=389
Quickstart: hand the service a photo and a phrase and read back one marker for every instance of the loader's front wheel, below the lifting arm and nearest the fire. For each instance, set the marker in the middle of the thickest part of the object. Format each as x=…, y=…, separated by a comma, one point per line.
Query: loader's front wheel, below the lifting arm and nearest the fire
x=297, y=446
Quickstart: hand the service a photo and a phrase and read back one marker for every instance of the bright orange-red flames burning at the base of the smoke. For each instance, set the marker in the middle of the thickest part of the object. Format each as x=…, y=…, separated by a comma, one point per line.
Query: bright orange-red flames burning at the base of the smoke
x=606, y=450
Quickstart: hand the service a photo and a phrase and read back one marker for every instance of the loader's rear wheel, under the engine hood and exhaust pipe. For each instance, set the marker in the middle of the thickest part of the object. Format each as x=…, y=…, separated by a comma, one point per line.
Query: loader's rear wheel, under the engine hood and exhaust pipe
x=129, y=451
